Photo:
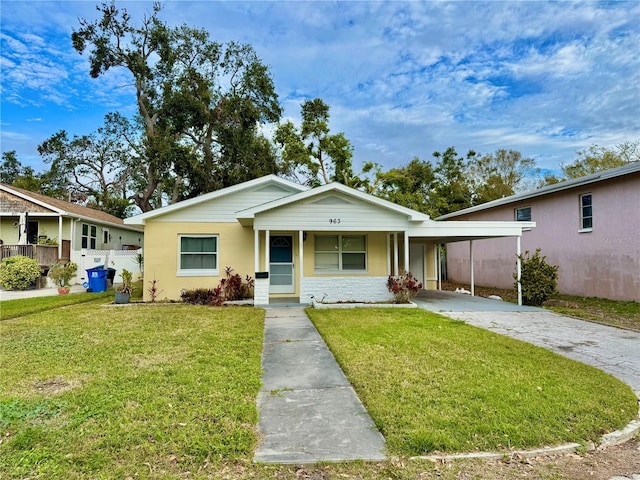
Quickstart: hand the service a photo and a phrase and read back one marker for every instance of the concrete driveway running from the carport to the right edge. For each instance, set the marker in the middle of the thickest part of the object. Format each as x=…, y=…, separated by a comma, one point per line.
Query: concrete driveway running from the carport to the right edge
x=613, y=350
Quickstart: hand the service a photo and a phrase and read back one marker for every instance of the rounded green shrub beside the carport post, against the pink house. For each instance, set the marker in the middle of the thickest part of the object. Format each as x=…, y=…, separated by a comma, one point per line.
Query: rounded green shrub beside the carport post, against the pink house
x=539, y=279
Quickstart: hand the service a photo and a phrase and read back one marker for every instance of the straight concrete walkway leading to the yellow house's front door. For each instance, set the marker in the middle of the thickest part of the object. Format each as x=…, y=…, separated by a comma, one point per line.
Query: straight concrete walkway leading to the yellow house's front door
x=308, y=410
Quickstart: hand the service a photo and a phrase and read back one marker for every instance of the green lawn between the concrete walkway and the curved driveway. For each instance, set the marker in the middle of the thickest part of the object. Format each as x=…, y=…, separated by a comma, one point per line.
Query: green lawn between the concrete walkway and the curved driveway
x=435, y=384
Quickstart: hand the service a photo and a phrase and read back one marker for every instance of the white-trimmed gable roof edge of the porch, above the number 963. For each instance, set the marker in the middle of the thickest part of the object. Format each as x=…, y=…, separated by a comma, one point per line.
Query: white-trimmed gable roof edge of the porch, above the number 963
x=413, y=215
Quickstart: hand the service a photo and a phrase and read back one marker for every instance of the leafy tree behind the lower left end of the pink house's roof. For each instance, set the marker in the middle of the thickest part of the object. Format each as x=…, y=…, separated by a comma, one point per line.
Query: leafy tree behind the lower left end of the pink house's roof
x=500, y=174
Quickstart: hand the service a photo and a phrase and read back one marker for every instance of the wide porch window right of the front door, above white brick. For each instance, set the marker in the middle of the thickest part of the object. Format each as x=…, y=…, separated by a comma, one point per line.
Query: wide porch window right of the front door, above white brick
x=340, y=252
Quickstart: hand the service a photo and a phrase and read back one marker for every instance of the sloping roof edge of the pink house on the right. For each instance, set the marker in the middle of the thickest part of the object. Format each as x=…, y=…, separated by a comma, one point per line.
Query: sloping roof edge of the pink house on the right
x=609, y=174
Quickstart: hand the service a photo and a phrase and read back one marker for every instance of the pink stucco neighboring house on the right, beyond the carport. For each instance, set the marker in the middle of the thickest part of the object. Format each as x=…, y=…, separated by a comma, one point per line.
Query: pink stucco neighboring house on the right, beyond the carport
x=589, y=227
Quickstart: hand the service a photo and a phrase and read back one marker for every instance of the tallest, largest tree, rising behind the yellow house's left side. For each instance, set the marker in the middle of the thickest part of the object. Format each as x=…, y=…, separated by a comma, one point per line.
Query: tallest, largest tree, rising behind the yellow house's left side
x=190, y=93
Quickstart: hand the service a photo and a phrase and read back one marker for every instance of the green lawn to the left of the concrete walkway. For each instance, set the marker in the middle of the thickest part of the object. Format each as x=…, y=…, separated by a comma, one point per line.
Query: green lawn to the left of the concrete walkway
x=143, y=391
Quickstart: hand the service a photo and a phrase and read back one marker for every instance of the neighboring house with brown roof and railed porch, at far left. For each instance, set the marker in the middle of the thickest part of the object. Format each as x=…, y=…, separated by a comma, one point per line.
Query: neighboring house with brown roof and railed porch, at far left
x=49, y=230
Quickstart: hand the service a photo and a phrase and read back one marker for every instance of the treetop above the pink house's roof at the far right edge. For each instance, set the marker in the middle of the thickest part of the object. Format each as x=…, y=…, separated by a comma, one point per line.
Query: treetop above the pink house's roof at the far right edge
x=595, y=159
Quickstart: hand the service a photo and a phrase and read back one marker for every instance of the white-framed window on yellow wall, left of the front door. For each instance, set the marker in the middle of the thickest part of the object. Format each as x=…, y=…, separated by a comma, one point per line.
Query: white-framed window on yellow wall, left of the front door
x=198, y=255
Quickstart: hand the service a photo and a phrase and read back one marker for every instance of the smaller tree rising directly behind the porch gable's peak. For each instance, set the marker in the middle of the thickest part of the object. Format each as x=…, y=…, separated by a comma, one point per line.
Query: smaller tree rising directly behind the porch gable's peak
x=313, y=153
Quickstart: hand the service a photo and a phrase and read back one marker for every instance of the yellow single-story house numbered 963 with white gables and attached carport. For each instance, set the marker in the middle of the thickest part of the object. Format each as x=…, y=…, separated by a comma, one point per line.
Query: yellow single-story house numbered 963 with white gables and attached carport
x=330, y=243
